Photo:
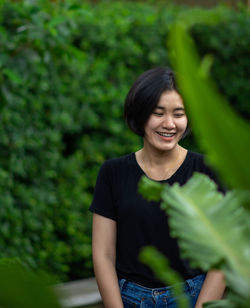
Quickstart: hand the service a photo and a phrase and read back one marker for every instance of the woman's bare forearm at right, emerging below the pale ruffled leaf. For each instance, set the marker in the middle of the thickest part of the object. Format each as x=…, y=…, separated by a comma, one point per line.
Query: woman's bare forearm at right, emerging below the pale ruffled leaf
x=212, y=289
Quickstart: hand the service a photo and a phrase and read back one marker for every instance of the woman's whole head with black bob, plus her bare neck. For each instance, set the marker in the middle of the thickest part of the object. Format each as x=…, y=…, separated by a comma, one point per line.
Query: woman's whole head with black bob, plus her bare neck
x=154, y=109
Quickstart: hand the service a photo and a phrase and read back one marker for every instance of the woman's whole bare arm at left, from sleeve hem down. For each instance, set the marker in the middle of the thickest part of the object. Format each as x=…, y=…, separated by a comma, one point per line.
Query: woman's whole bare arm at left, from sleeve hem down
x=104, y=257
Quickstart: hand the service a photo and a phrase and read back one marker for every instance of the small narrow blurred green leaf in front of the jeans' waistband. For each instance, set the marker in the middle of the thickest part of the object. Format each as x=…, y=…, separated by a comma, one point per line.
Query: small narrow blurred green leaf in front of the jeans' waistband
x=160, y=266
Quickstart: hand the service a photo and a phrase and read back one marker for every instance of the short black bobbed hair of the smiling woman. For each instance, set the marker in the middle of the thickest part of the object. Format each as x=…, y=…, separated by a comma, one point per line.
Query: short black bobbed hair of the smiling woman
x=144, y=96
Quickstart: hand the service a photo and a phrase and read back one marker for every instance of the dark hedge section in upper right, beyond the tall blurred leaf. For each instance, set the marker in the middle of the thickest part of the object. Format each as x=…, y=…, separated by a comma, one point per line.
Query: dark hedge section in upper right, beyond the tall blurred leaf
x=230, y=69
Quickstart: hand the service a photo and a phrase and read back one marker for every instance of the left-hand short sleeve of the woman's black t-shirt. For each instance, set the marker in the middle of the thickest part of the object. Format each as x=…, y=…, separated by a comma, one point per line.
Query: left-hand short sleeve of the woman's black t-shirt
x=103, y=200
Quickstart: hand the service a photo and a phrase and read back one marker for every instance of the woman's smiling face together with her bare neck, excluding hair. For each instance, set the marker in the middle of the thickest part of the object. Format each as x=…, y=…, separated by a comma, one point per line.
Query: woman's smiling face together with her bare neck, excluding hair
x=163, y=131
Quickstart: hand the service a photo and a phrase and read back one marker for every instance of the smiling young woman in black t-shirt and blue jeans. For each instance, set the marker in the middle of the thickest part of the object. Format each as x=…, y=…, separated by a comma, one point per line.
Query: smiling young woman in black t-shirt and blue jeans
x=124, y=222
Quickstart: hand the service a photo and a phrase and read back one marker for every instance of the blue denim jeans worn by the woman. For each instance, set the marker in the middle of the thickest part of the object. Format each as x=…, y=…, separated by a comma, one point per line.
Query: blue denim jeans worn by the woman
x=136, y=296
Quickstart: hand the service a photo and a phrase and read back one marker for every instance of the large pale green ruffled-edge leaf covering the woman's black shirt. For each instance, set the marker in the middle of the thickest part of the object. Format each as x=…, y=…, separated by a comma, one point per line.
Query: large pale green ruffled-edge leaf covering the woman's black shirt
x=217, y=227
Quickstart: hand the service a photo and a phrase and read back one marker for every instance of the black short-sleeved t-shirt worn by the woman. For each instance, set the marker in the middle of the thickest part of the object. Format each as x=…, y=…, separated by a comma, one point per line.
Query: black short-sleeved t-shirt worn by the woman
x=140, y=222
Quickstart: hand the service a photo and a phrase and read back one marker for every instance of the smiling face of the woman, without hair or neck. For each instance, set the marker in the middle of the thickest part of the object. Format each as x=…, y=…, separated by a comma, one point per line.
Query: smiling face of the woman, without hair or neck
x=167, y=123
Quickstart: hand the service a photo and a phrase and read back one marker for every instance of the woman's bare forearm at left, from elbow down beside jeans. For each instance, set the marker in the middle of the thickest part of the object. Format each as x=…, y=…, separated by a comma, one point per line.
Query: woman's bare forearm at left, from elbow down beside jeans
x=107, y=281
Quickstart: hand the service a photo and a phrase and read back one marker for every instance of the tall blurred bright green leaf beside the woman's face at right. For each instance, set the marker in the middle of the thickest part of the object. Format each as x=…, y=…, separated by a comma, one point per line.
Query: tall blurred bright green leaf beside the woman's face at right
x=223, y=135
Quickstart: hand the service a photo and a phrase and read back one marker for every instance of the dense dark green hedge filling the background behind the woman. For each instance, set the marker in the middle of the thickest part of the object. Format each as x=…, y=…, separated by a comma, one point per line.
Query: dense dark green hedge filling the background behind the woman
x=65, y=68
